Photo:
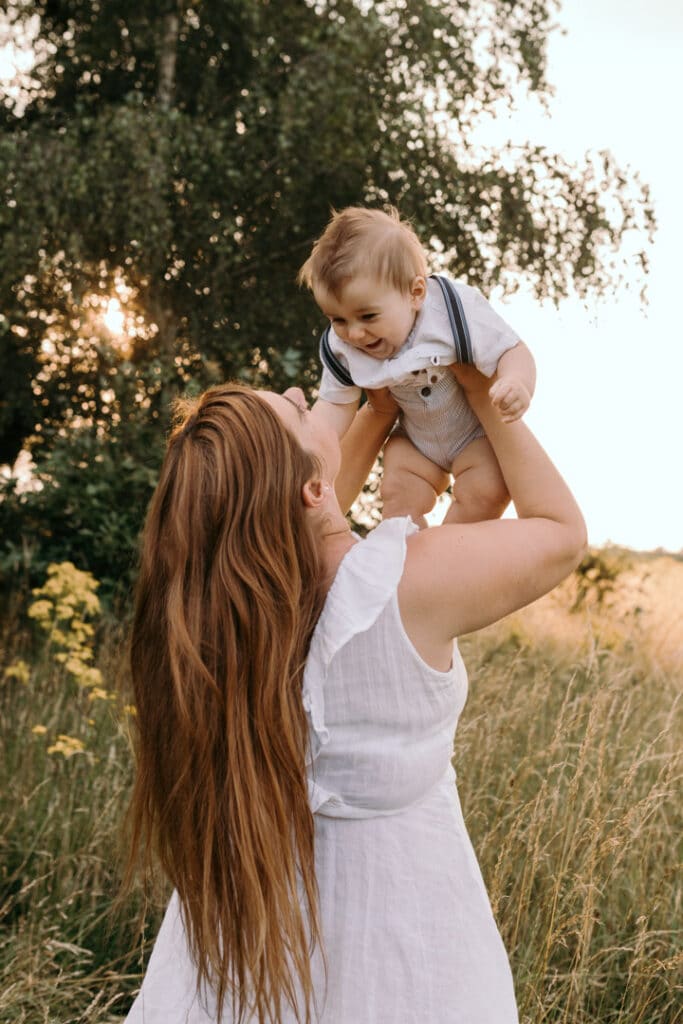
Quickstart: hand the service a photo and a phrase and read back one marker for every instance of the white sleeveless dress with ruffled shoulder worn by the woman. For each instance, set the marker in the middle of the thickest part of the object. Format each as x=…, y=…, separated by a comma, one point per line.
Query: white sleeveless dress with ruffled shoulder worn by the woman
x=408, y=929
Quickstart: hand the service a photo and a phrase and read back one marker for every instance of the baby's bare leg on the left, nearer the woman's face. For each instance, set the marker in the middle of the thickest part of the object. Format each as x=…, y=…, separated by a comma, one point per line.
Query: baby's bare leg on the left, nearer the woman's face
x=411, y=483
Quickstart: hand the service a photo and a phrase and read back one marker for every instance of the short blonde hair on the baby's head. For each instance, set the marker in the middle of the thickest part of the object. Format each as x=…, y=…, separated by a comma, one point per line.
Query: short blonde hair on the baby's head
x=359, y=241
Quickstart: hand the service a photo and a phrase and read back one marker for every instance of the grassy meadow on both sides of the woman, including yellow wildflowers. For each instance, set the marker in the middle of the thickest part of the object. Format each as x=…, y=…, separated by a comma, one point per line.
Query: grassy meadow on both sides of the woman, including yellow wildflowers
x=569, y=761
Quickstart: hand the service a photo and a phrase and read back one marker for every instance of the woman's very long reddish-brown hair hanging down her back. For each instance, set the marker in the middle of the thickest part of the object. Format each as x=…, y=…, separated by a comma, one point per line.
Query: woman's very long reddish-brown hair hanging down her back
x=229, y=594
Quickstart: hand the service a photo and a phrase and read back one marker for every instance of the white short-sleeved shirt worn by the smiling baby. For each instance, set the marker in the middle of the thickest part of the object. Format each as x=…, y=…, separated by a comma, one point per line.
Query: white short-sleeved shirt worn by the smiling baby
x=430, y=345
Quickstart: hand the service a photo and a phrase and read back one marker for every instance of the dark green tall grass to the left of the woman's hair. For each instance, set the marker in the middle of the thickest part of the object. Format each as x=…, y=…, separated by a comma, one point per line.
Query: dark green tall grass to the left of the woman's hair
x=67, y=952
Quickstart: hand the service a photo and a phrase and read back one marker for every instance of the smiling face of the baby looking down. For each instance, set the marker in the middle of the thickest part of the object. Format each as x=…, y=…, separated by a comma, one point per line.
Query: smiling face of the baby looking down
x=373, y=317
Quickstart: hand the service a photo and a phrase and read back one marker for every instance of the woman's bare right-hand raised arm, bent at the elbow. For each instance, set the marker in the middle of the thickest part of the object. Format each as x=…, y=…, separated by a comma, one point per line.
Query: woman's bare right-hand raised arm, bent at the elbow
x=463, y=577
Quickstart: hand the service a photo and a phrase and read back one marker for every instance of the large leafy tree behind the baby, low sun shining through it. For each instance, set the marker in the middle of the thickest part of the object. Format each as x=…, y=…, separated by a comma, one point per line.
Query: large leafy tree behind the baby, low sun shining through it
x=186, y=156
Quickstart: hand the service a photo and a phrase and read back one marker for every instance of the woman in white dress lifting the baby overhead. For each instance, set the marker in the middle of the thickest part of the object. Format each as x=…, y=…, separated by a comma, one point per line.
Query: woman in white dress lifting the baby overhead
x=308, y=818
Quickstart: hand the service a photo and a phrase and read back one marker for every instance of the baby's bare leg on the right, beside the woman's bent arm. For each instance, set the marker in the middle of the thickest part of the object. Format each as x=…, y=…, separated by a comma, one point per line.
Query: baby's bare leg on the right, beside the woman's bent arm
x=479, y=492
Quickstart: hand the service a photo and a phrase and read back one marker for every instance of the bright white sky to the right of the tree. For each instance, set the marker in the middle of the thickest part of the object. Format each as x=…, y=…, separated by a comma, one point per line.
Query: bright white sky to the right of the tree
x=609, y=406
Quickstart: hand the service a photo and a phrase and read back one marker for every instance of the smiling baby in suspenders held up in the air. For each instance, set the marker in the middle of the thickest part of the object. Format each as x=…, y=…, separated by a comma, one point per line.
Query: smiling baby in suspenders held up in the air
x=393, y=326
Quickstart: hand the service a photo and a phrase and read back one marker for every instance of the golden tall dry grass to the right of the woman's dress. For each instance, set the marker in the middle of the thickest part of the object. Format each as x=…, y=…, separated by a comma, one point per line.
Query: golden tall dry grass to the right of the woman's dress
x=570, y=764
